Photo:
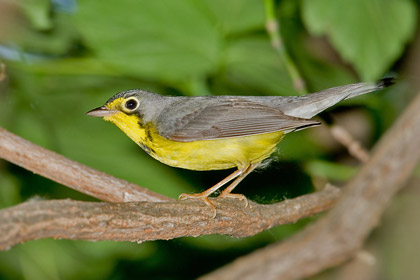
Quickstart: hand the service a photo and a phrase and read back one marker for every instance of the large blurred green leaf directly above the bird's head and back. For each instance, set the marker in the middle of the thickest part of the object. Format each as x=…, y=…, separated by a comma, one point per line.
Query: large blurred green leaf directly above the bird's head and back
x=171, y=41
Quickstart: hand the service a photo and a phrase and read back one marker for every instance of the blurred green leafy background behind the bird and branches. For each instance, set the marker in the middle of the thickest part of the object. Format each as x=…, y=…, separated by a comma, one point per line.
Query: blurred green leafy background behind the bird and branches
x=65, y=57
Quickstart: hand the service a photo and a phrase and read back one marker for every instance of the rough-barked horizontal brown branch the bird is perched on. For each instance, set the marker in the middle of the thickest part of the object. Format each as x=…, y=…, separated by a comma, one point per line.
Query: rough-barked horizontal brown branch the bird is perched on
x=141, y=221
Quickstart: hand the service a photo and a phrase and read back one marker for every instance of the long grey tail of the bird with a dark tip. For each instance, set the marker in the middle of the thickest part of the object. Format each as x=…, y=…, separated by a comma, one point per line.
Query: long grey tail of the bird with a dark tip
x=309, y=105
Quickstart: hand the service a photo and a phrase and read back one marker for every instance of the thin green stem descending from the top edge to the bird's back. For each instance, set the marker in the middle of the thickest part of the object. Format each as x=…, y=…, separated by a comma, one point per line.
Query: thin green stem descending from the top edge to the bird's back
x=273, y=31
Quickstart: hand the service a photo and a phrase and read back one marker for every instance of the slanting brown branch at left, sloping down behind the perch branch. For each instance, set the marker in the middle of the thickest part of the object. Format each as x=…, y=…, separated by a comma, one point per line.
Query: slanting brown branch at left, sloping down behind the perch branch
x=70, y=173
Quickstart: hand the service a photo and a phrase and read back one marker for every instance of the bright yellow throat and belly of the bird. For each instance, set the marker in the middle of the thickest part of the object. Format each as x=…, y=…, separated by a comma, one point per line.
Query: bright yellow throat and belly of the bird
x=200, y=155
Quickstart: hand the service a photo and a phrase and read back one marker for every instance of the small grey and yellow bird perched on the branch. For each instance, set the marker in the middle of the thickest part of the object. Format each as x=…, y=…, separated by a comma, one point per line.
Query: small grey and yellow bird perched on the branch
x=219, y=132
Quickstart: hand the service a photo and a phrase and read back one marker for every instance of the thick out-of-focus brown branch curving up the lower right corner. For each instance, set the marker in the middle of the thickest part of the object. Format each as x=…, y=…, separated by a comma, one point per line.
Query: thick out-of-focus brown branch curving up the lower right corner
x=340, y=234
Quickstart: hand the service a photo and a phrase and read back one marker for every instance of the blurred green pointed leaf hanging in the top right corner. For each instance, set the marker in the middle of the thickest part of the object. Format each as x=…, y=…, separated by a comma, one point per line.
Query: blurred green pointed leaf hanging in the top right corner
x=370, y=34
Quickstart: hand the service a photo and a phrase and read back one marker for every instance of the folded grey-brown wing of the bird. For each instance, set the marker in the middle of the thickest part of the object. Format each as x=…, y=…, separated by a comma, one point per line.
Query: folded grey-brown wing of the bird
x=231, y=117
